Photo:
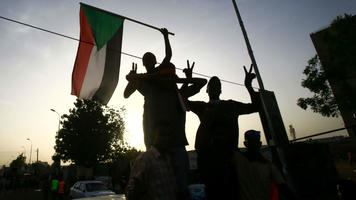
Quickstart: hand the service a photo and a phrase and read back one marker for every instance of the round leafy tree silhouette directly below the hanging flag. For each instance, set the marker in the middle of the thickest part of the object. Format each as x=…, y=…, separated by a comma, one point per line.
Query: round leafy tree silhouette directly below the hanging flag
x=89, y=134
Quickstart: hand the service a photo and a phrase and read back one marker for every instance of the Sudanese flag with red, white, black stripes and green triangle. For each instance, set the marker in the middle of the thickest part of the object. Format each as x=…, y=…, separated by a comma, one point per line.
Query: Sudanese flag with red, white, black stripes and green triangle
x=96, y=68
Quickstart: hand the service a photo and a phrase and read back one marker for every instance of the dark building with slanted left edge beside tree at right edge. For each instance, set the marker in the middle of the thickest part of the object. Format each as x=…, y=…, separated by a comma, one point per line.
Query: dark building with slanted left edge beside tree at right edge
x=336, y=49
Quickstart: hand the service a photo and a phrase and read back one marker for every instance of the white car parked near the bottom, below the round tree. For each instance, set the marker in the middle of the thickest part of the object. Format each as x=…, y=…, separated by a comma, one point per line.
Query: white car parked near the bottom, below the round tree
x=82, y=189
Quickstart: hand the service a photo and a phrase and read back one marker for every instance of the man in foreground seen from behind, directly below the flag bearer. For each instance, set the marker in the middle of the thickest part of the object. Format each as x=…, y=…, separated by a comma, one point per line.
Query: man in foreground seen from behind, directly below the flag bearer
x=152, y=175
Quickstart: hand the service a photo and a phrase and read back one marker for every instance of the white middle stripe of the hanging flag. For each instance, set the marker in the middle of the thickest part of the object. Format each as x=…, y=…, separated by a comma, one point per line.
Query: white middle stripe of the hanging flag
x=94, y=74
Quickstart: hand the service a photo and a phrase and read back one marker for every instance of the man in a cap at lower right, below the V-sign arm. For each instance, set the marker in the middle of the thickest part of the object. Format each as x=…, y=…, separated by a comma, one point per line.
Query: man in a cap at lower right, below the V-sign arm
x=257, y=177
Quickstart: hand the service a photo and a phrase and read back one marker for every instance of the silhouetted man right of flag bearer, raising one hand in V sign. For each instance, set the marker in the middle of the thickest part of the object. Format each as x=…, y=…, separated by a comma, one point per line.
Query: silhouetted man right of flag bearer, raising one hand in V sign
x=217, y=136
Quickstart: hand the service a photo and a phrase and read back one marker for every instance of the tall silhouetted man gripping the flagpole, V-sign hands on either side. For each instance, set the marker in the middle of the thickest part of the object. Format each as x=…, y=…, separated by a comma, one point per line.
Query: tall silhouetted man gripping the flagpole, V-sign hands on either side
x=165, y=102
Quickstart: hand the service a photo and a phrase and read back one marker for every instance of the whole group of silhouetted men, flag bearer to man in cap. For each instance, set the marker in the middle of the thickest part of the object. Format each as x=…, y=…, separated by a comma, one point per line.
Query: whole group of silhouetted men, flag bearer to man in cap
x=161, y=172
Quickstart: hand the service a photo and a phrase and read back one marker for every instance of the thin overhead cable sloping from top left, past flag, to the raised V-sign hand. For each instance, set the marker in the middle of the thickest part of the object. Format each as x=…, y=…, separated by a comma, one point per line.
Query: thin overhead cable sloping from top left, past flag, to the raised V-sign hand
x=126, y=54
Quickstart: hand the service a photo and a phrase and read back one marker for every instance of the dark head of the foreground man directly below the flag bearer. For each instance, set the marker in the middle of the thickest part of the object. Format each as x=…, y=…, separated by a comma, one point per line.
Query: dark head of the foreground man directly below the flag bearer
x=162, y=138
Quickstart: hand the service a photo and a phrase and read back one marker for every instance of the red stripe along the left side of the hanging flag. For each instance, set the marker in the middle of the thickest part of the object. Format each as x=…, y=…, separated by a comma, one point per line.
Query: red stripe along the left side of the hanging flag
x=83, y=54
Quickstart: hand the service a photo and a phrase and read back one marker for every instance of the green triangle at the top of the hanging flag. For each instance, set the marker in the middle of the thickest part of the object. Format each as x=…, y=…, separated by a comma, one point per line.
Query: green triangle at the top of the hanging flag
x=103, y=25
